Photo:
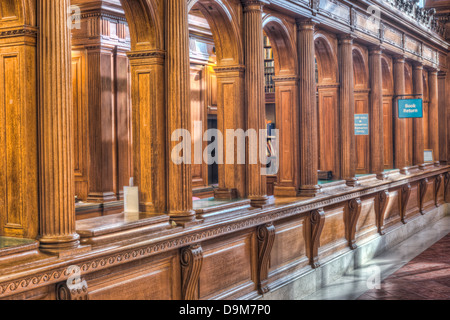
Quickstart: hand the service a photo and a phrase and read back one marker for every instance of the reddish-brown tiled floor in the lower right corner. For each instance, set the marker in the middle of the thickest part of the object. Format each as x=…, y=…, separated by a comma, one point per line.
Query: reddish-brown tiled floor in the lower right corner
x=426, y=277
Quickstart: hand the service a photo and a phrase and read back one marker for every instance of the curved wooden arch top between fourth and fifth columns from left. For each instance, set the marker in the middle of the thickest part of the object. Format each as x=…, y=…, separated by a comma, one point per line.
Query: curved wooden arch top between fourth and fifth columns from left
x=326, y=57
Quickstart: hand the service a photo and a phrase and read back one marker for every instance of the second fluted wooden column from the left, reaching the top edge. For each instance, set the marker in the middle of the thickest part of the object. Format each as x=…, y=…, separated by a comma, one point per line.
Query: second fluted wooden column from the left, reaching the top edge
x=178, y=108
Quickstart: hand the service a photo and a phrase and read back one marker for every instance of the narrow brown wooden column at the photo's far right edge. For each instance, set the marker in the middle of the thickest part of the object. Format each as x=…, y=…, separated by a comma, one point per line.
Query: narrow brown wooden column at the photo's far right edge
x=443, y=139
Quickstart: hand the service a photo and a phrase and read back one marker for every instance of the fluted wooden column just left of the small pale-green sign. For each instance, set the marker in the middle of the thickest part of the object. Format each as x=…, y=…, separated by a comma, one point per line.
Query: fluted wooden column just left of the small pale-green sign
x=347, y=111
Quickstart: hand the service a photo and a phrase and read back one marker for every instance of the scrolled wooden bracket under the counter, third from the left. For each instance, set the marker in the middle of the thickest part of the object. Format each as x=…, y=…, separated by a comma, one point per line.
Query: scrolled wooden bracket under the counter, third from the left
x=266, y=238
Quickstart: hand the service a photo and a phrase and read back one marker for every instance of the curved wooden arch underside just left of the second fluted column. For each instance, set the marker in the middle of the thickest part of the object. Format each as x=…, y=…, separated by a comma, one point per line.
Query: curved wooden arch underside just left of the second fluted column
x=145, y=26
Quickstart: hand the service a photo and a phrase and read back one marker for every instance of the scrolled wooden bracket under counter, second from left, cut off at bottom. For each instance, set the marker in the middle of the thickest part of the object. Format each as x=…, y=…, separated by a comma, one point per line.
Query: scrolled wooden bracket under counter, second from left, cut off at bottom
x=191, y=265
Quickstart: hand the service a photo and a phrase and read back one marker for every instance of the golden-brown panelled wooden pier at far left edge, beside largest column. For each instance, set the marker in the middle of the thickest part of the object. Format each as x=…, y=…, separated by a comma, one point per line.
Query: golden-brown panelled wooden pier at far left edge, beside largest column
x=18, y=142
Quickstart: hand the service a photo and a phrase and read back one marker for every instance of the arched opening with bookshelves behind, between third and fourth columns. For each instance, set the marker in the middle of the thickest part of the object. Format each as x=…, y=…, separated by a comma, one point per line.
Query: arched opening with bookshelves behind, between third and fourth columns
x=282, y=103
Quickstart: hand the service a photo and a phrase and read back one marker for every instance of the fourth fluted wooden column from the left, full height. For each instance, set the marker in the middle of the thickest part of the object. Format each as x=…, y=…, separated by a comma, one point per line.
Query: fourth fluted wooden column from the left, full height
x=309, y=146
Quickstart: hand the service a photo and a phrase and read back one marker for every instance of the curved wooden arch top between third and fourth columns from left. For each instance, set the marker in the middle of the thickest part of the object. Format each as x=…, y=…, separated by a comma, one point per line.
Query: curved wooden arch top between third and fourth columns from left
x=282, y=43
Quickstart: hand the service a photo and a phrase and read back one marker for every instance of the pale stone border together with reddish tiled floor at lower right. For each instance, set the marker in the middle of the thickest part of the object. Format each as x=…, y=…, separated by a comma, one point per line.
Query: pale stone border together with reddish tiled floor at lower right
x=416, y=269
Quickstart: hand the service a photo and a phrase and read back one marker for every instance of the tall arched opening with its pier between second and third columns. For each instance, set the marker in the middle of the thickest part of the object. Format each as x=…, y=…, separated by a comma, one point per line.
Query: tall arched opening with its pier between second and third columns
x=217, y=90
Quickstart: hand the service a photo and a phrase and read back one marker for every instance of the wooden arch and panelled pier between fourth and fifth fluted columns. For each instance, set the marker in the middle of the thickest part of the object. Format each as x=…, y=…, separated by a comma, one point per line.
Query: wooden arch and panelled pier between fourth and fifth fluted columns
x=328, y=102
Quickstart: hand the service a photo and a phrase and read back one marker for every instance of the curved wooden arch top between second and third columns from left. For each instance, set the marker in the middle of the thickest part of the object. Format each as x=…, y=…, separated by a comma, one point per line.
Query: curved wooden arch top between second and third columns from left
x=225, y=30
